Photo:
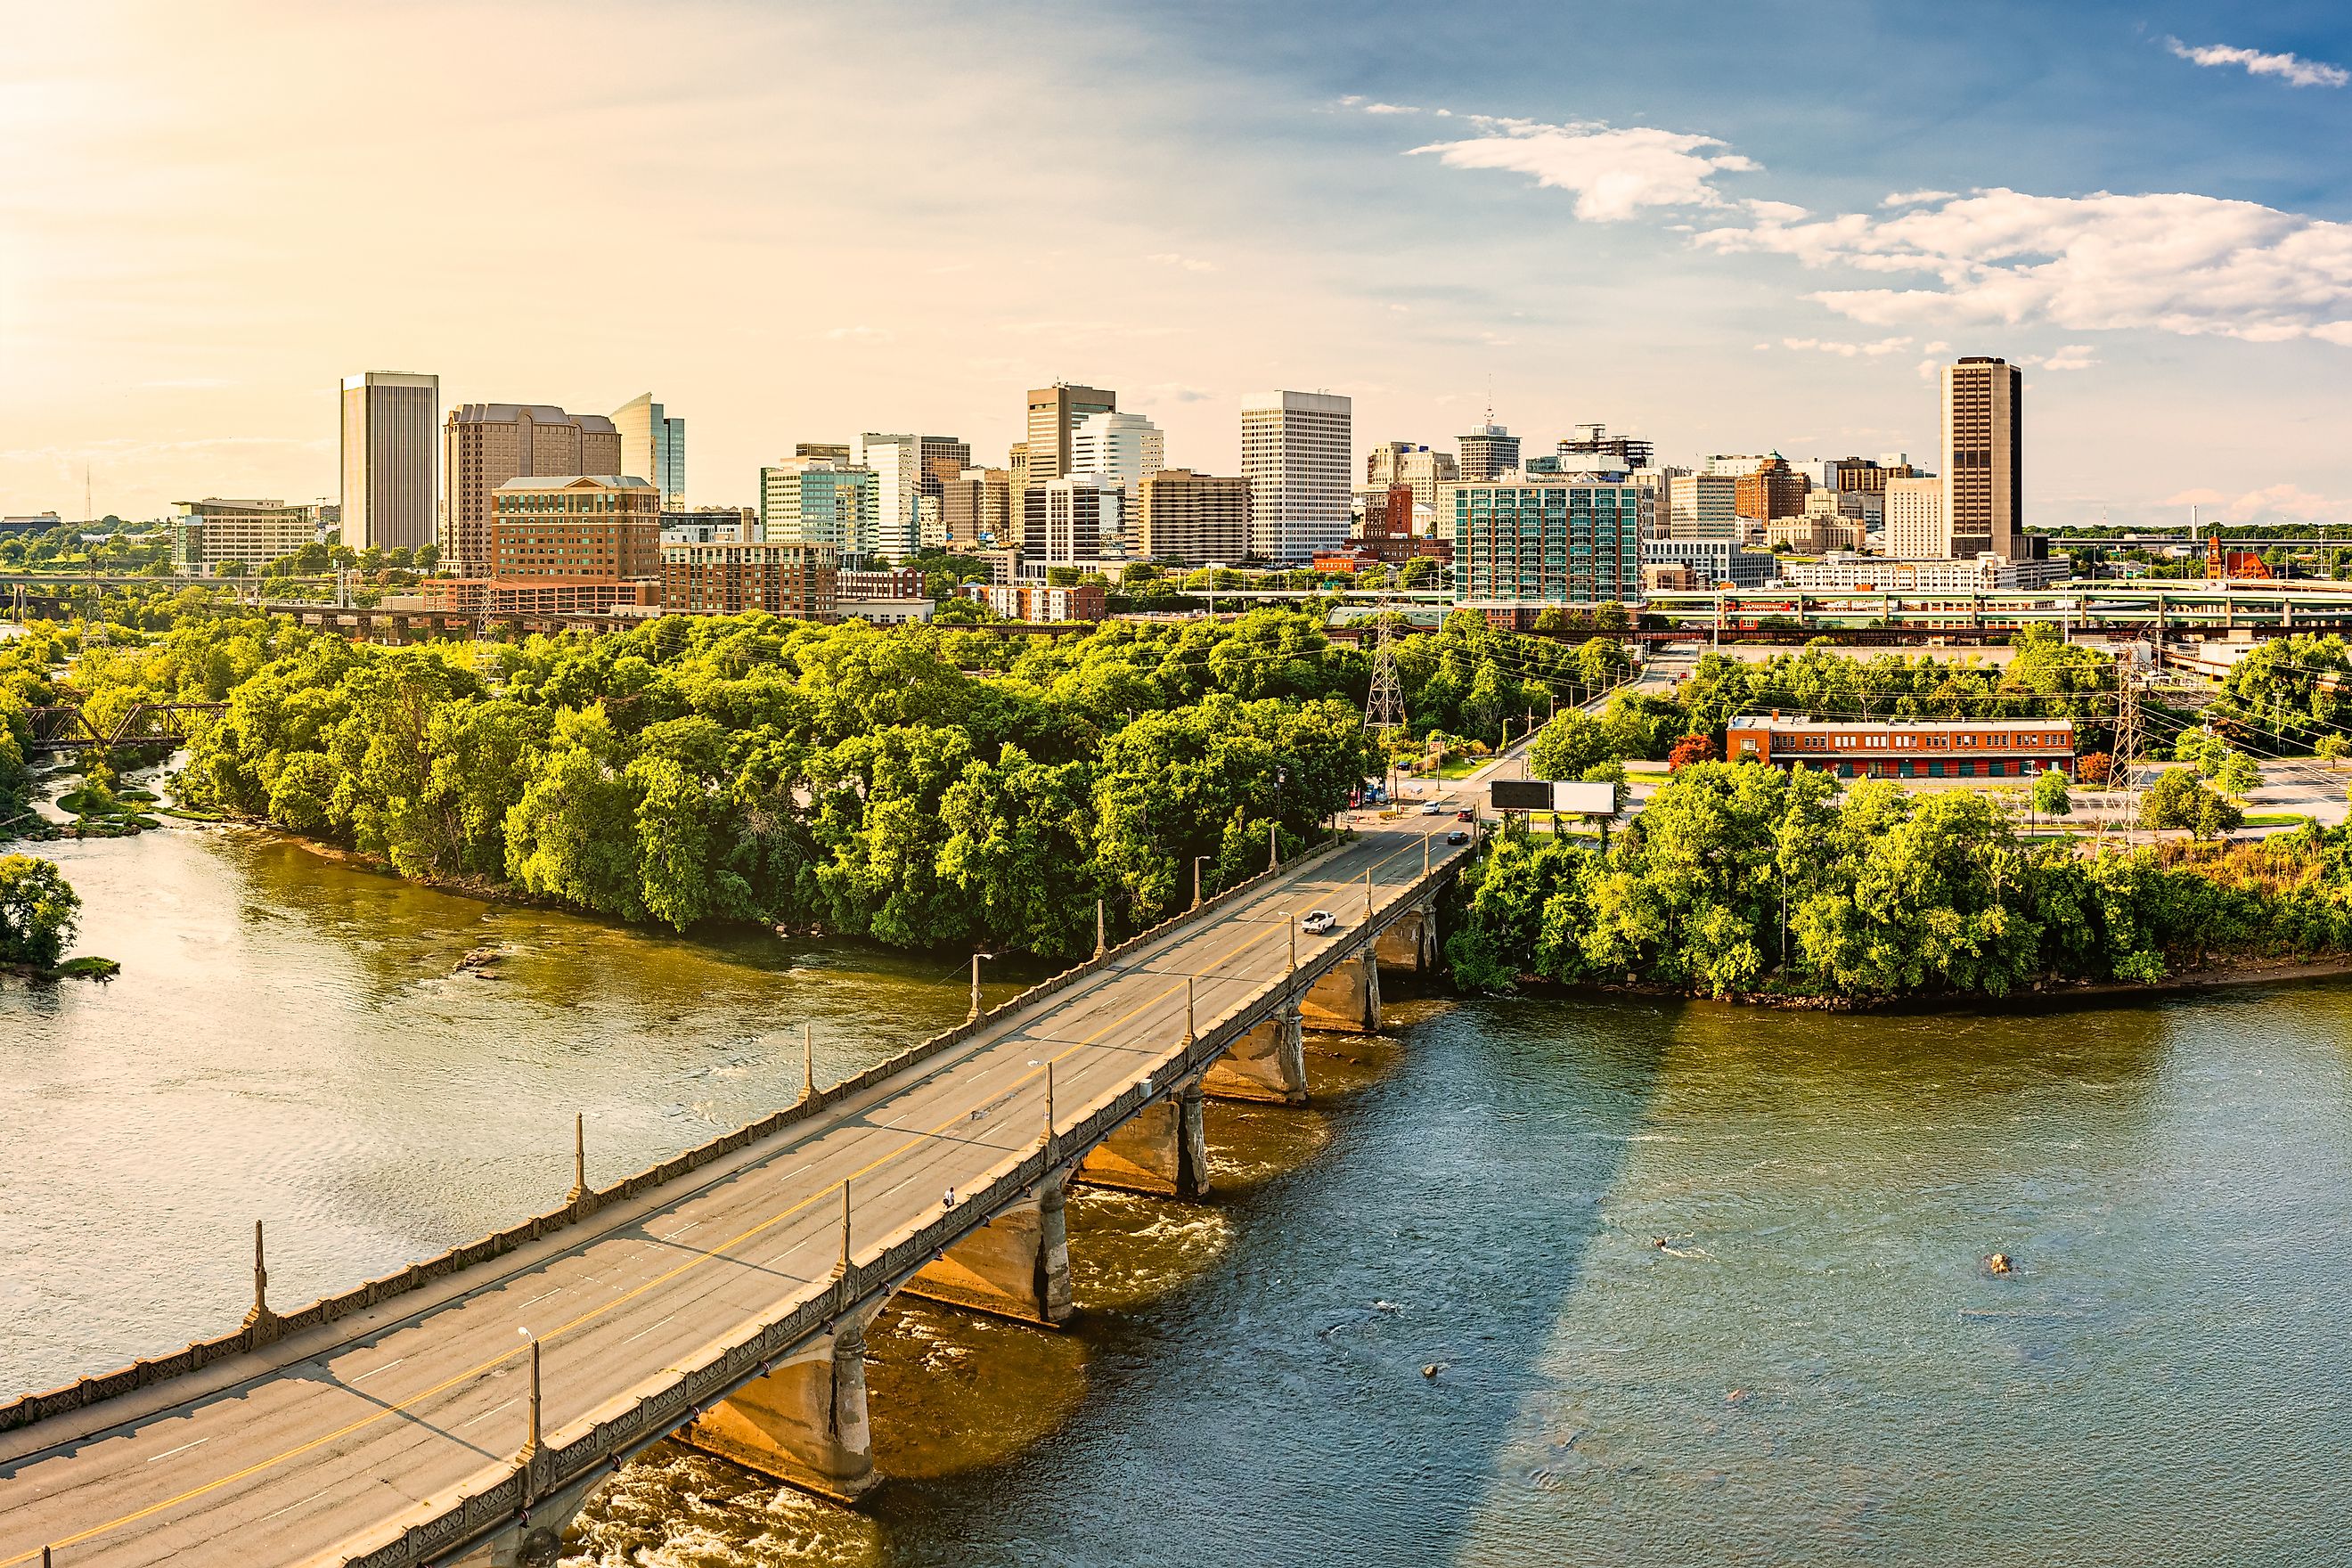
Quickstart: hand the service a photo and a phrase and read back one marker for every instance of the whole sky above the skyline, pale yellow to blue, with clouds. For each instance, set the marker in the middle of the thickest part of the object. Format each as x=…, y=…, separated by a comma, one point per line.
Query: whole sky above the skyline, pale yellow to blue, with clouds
x=1720, y=227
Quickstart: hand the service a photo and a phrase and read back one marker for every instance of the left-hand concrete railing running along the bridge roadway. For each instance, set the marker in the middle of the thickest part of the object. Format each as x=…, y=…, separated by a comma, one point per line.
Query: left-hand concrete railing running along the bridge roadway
x=497, y=1245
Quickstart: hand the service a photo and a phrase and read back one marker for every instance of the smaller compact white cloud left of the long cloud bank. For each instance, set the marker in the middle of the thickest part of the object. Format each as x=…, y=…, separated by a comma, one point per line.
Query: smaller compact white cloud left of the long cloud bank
x=1612, y=170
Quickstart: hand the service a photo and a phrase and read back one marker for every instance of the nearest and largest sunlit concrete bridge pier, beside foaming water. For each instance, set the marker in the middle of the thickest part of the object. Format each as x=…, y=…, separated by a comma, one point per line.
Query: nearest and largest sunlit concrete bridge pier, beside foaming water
x=803, y=1423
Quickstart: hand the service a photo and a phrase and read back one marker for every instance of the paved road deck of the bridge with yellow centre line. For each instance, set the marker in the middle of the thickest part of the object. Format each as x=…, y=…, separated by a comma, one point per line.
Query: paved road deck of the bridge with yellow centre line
x=335, y=1438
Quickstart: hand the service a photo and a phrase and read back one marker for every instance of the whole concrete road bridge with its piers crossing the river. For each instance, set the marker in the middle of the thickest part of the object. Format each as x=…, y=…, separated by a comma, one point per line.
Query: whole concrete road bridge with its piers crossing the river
x=460, y=1412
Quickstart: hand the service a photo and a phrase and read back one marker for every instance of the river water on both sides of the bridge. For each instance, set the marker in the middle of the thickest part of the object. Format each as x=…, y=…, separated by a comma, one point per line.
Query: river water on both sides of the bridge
x=1699, y=1285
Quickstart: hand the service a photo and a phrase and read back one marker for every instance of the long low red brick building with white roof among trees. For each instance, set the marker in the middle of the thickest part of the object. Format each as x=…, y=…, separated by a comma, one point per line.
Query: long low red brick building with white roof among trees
x=1906, y=749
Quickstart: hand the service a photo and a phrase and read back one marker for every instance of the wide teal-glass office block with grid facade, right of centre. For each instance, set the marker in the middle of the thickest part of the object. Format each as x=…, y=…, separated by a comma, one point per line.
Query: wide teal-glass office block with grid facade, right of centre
x=1546, y=542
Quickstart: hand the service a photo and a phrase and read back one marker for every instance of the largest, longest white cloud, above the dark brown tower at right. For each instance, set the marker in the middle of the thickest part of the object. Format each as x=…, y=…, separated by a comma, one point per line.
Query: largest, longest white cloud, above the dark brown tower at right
x=2189, y=264
